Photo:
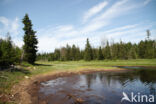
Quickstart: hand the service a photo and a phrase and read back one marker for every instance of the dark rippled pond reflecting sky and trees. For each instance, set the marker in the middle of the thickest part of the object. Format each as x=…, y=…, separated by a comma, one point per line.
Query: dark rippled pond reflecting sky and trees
x=139, y=85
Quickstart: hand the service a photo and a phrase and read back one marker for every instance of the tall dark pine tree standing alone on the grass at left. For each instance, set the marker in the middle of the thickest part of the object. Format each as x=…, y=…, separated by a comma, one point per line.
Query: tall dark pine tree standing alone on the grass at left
x=30, y=41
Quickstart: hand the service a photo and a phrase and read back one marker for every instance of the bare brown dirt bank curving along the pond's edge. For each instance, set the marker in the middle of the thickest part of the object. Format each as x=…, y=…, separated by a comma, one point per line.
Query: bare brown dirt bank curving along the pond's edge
x=26, y=92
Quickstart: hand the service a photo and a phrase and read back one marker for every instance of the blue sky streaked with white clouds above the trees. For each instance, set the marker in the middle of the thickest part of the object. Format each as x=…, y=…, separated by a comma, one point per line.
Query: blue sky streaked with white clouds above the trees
x=61, y=22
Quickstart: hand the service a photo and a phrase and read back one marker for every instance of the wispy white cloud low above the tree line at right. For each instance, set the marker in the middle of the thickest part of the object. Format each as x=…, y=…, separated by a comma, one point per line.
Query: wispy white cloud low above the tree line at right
x=127, y=33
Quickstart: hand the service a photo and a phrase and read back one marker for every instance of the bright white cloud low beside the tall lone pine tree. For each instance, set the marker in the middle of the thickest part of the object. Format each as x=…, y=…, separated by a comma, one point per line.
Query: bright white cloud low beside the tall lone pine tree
x=55, y=37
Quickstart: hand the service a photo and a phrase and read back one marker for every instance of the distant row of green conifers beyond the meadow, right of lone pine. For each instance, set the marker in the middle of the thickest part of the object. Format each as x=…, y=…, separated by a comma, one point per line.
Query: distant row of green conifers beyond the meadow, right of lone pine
x=145, y=49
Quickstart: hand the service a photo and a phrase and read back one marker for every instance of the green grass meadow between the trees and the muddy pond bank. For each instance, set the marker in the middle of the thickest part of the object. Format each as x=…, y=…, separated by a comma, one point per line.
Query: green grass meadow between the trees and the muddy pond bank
x=8, y=78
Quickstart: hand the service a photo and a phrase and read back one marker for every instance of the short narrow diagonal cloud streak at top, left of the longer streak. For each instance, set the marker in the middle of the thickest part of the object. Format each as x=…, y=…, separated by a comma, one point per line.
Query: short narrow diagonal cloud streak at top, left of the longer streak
x=94, y=10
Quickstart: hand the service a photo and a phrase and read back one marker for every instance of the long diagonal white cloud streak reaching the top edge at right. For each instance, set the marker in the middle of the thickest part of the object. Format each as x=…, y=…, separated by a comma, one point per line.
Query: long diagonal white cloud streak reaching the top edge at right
x=117, y=9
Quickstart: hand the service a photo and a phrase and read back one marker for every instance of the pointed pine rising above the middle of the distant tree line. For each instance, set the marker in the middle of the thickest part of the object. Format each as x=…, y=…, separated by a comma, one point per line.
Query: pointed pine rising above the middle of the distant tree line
x=88, y=51
